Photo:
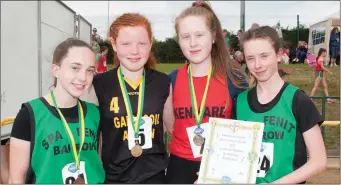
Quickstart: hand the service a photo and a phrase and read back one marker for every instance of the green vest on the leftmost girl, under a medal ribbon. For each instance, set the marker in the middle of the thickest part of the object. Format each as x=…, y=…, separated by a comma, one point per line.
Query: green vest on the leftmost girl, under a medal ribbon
x=52, y=159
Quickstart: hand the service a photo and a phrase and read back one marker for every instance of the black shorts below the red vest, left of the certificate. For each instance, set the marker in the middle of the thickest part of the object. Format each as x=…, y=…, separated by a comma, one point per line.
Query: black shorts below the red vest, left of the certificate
x=182, y=171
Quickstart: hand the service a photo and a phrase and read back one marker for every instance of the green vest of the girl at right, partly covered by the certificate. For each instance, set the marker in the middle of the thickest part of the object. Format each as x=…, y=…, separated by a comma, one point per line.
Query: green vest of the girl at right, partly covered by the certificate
x=278, y=144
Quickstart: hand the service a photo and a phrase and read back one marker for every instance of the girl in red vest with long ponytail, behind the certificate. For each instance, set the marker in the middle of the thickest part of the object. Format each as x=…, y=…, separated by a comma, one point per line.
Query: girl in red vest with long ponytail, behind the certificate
x=205, y=87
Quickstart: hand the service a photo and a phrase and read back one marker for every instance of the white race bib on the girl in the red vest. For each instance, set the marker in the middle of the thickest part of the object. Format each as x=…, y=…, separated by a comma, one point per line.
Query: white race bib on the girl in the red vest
x=197, y=150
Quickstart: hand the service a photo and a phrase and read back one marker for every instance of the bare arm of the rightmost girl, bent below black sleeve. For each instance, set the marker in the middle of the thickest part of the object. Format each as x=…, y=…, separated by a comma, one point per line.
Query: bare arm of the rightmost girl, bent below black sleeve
x=317, y=161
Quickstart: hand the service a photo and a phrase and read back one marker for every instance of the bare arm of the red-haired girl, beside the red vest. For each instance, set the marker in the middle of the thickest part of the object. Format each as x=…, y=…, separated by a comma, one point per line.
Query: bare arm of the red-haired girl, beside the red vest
x=168, y=115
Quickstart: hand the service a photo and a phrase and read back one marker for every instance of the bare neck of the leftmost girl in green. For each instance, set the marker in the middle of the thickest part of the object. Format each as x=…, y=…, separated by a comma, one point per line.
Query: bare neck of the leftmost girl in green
x=63, y=98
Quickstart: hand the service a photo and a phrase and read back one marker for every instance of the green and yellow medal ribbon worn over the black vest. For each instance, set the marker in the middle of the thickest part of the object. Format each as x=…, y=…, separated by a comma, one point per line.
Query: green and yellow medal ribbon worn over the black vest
x=136, y=124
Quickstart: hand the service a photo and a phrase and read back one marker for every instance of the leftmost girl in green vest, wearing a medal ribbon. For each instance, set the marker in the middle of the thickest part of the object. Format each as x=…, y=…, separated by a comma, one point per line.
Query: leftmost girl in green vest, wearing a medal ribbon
x=54, y=139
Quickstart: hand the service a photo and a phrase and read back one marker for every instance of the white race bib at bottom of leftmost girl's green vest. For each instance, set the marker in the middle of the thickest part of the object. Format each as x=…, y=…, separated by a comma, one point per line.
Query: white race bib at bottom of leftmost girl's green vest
x=70, y=172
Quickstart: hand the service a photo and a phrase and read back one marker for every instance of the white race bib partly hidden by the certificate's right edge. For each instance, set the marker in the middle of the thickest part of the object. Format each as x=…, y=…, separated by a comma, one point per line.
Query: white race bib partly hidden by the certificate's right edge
x=266, y=159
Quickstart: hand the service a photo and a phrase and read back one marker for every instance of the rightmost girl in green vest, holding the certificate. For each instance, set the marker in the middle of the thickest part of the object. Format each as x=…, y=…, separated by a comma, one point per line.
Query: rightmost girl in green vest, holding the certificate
x=291, y=120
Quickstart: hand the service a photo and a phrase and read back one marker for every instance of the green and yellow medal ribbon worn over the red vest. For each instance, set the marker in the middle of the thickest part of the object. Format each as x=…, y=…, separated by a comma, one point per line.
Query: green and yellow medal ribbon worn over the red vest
x=198, y=116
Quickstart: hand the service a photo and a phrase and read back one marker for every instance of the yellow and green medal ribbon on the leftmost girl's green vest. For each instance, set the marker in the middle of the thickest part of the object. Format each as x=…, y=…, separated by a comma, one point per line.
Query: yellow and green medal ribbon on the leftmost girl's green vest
x=68, y=131
